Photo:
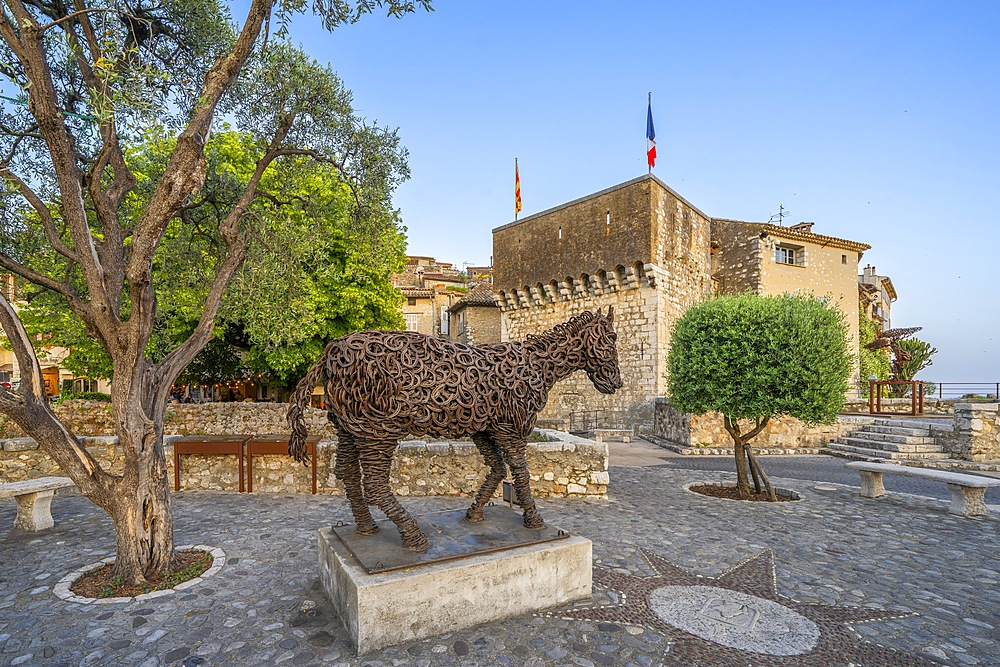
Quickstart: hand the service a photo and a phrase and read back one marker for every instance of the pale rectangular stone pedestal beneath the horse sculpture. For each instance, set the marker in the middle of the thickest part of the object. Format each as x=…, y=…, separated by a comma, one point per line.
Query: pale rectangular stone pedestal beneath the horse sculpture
x=389, y=608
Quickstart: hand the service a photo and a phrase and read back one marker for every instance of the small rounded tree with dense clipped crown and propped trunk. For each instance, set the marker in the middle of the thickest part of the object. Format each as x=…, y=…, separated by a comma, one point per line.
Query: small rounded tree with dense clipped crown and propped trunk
x=753, y=358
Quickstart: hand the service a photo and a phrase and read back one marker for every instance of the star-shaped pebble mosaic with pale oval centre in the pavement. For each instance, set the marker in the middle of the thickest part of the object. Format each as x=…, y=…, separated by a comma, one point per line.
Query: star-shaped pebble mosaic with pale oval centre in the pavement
x=739, y=619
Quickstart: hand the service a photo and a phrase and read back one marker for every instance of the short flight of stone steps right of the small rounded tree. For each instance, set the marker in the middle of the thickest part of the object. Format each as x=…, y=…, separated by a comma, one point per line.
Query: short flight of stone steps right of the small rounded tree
x=888, y=439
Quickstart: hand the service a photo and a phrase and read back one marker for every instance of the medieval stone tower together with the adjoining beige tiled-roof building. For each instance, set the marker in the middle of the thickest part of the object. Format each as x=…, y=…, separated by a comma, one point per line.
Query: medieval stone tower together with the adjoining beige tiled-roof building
x=645, y=250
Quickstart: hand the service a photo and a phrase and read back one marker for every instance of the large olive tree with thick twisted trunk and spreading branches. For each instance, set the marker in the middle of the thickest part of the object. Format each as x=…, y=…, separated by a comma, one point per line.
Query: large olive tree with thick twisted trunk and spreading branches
x=87, y=80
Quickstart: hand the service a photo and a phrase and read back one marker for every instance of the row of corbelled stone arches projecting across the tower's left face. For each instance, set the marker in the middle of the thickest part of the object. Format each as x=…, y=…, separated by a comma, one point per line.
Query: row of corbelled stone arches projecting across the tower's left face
x=570, y=288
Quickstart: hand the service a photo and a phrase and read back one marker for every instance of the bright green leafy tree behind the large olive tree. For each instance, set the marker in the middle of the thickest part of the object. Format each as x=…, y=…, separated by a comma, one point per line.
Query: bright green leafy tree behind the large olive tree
x=315, y=270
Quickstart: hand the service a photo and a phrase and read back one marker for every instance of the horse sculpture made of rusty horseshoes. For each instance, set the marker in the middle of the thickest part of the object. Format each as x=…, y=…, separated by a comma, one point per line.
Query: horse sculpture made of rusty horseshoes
x=384, y=385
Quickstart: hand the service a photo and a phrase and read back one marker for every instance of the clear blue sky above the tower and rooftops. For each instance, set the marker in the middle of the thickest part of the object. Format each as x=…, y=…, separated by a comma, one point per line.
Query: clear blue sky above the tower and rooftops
x=876, y=120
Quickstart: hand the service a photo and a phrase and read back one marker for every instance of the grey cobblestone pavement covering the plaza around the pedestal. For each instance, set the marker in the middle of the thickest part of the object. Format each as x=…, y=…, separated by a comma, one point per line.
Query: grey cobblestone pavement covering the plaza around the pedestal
x=901, y=554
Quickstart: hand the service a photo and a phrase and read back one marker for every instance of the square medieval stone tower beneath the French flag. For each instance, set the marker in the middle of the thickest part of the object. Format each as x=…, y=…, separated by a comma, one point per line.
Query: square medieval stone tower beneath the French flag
x=639, y=247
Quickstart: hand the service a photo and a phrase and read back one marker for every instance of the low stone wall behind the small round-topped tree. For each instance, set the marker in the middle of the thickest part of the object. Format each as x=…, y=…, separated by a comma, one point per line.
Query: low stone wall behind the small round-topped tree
x=706, y=434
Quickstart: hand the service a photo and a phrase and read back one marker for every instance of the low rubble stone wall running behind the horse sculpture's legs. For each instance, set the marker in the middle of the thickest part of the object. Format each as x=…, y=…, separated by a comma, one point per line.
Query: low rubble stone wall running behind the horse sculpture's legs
x=564, y=467
